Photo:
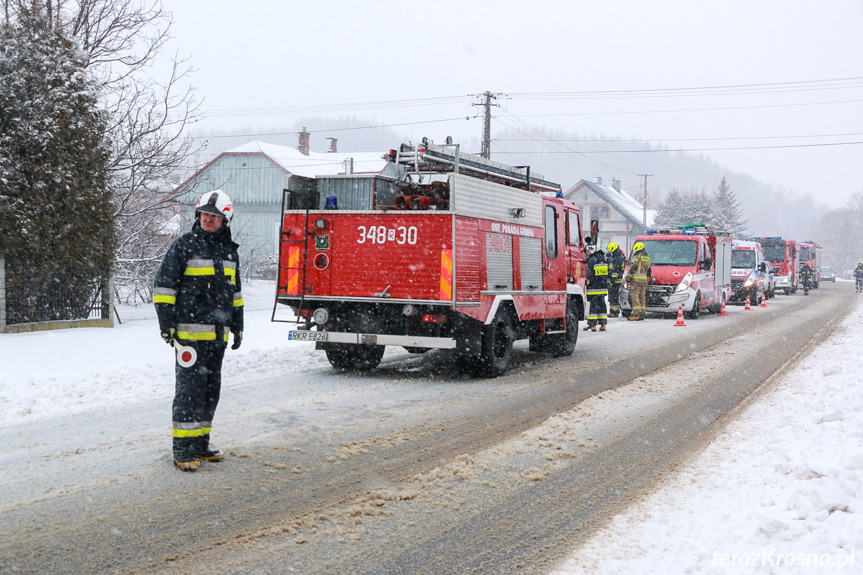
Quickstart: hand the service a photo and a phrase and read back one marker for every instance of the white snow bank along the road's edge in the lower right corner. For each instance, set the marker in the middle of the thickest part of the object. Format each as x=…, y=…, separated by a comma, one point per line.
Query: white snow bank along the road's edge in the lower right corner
x=779, y=491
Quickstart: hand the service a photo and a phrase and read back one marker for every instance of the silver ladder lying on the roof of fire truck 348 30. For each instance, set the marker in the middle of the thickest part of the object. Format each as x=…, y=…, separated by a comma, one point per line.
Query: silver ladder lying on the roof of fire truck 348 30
x=436, y=158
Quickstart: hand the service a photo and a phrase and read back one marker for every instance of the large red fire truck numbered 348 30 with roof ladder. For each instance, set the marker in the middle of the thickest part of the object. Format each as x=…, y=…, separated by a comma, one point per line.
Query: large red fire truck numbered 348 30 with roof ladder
x=443, y=250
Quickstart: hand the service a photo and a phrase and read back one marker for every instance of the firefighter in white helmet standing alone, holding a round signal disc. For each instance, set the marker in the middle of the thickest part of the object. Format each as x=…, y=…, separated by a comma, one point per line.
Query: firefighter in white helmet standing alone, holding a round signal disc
x=198, y=301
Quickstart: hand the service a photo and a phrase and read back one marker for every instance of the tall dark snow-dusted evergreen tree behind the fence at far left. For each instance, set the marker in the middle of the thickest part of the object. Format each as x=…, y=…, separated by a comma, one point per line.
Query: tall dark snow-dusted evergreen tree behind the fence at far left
x=56, y=229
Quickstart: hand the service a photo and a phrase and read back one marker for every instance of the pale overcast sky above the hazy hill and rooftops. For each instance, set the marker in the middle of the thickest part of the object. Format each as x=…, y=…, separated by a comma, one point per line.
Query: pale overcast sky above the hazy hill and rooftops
x=797, y=65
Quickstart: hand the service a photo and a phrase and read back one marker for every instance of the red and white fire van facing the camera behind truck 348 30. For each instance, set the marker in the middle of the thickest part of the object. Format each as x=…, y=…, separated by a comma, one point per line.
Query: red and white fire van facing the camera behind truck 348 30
x=691, y=267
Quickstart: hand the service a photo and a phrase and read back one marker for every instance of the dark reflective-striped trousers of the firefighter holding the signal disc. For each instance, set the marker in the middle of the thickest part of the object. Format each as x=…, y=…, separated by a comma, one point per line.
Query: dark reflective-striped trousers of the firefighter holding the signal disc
x=195, y=399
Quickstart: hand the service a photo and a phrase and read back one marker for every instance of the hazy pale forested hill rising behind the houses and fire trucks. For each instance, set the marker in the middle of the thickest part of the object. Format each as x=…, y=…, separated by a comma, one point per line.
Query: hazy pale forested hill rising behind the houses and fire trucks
x=561, y=156
